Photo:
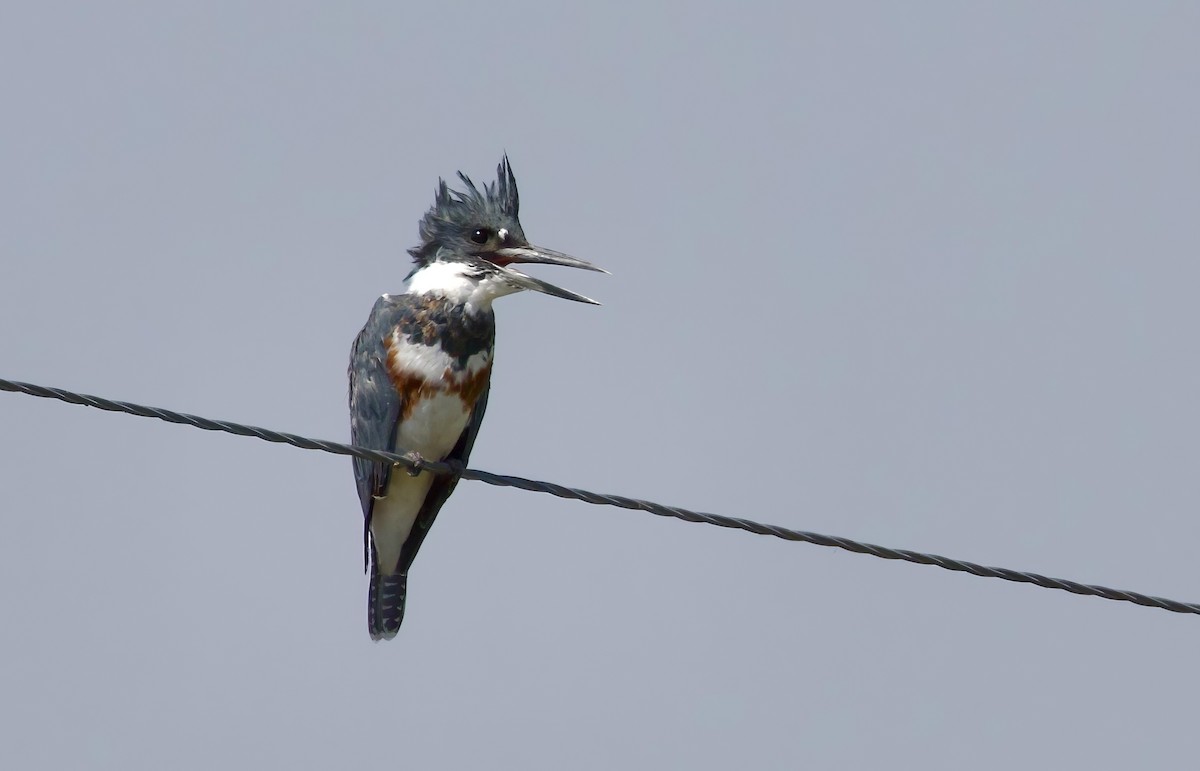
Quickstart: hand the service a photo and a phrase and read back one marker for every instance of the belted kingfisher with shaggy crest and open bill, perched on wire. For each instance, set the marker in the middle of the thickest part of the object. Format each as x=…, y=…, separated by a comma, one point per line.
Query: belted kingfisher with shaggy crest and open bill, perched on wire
x=422, y=367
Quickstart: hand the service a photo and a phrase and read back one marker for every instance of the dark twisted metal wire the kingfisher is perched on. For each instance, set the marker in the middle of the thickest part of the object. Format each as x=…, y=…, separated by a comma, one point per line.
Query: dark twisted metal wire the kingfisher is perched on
x=532, y=486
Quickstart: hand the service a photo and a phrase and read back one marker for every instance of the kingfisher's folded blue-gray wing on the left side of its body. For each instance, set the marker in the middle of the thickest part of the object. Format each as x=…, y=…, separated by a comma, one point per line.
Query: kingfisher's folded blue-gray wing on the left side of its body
x=375, y=404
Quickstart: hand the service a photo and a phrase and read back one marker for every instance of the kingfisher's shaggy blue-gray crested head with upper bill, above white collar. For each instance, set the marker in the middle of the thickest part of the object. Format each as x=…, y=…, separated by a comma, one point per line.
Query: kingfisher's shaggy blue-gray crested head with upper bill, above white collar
x=483, y=224
